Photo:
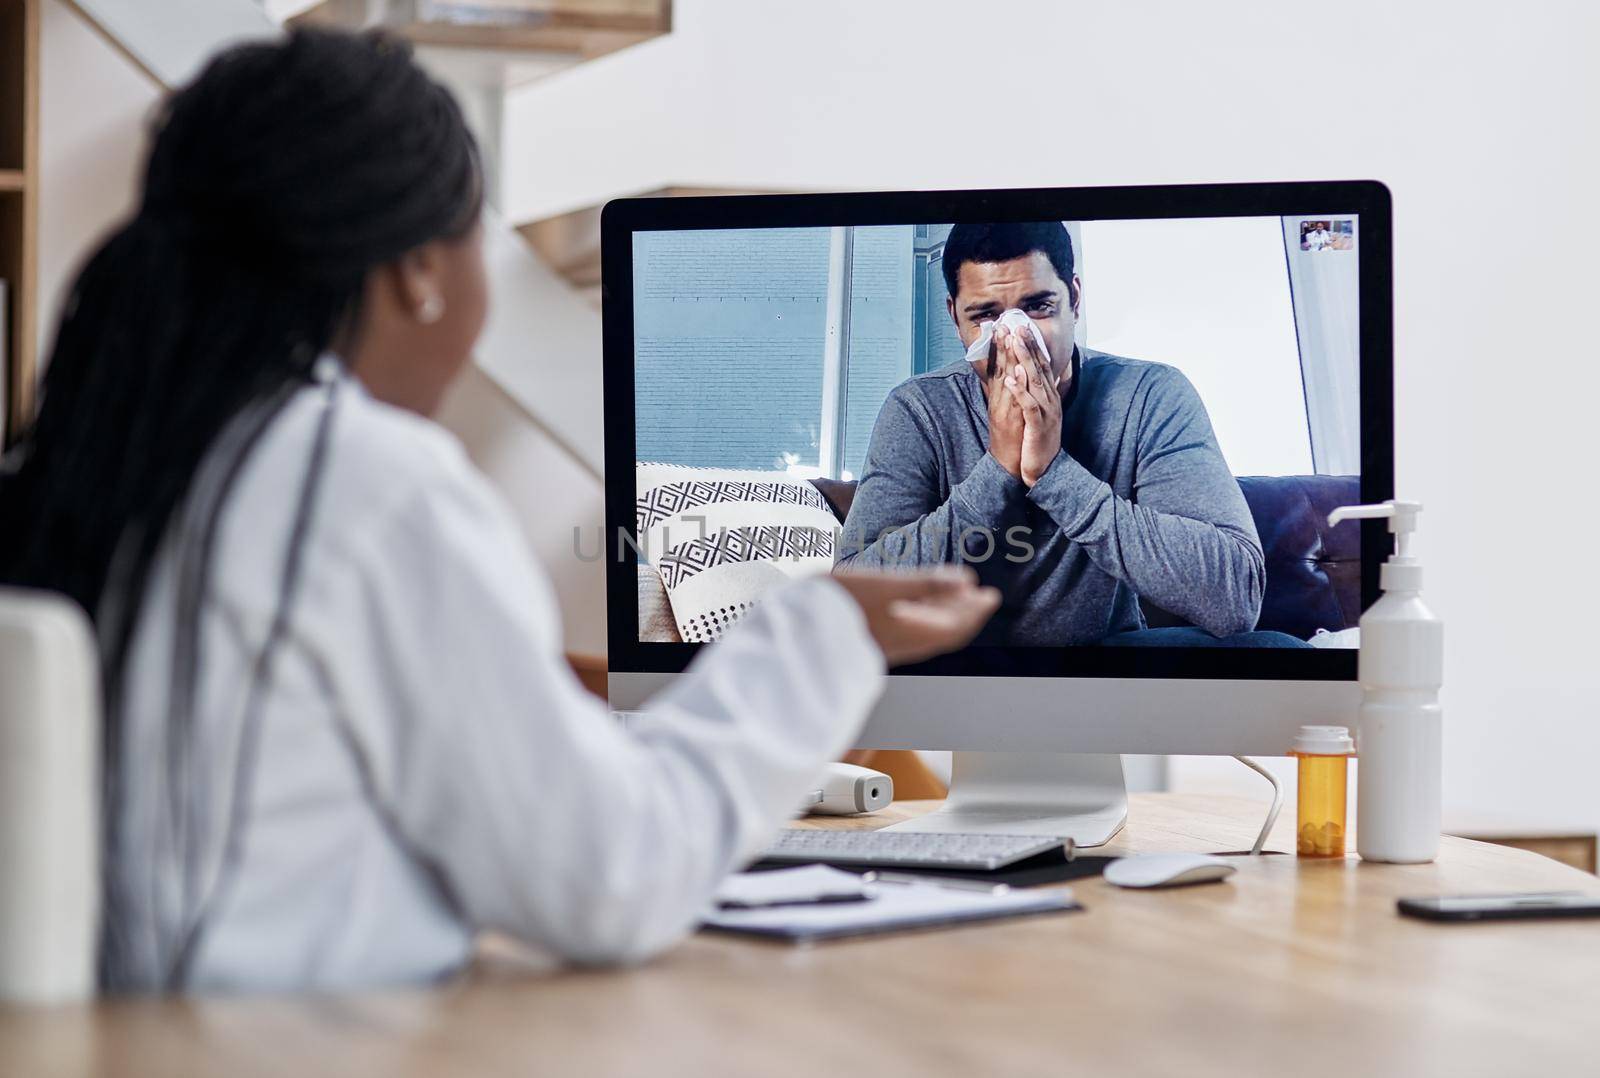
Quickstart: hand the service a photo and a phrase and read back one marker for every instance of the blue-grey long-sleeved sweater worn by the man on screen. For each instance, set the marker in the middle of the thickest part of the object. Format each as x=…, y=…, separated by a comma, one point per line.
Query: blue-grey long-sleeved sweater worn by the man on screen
x=1140, y=501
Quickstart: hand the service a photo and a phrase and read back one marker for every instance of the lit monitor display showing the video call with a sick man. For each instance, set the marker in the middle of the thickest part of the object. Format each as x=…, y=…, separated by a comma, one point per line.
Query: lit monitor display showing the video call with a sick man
x=1134, y=428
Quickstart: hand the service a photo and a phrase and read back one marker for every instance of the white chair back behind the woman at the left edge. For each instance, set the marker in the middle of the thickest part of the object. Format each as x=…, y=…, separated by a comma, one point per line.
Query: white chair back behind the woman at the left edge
x=50, y=780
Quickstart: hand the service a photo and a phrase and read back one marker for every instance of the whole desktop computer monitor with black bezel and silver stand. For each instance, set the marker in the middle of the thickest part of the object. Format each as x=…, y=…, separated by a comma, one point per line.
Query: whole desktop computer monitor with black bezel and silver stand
x=788, y=391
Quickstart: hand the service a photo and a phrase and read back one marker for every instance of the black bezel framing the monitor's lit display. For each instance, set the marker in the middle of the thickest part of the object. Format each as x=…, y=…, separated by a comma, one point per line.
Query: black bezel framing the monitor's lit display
x=1369, y=201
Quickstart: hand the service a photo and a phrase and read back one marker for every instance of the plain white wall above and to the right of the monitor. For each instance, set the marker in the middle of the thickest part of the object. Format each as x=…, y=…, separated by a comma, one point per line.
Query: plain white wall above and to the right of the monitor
x=1479, y=116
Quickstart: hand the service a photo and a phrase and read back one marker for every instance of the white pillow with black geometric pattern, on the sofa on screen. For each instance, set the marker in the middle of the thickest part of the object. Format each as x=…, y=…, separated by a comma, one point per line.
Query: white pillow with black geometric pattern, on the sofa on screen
x=721, y=538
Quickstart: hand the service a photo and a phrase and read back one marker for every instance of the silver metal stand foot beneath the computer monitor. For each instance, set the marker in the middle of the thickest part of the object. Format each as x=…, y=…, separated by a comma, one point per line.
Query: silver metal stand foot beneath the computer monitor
x=1065, y=796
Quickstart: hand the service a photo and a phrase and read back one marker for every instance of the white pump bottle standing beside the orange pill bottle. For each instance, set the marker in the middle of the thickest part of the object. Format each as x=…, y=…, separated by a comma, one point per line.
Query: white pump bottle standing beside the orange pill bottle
x=1398, y=741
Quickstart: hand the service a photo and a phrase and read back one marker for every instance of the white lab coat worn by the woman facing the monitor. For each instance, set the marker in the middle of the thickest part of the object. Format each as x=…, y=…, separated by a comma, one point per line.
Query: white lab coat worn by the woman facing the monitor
x=428, y=764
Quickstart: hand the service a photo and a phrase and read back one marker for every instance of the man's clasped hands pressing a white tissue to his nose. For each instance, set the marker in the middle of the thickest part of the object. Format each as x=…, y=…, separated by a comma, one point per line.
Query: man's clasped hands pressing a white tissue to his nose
x=1025, y=404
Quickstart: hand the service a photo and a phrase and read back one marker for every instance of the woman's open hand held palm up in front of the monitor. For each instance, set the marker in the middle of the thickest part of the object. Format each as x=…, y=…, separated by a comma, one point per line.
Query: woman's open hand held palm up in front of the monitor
x=919, y=615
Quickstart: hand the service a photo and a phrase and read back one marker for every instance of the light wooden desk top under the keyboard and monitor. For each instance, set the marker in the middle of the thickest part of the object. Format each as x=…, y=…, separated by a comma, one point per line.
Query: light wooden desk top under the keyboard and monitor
x=1300, y=968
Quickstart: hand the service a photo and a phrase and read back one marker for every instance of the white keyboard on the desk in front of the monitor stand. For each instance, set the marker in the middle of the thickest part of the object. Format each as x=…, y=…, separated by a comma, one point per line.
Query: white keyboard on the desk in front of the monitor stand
x=927, y=850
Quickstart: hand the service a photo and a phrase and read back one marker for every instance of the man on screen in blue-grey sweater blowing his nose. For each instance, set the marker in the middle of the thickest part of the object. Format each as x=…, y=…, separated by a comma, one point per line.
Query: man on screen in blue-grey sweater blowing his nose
x=1074, y=482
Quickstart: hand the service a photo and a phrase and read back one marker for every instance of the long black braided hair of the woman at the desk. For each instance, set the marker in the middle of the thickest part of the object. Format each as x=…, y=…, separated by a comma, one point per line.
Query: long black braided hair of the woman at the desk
x=276, y=183
